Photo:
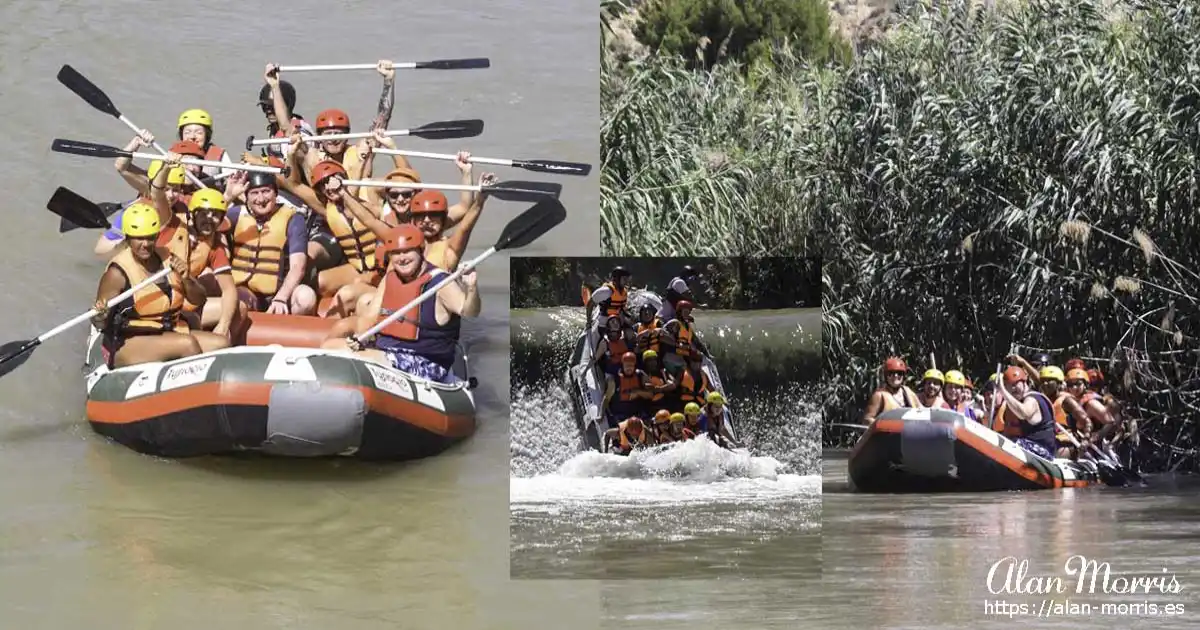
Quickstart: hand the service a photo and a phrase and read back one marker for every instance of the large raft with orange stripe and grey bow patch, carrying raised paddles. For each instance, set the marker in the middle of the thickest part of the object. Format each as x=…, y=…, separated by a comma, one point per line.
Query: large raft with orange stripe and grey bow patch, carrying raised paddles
x=278, y=395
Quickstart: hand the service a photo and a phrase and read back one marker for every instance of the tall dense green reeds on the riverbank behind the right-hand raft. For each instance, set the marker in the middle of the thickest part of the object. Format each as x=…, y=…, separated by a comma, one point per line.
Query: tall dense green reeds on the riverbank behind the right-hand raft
x=979, y=178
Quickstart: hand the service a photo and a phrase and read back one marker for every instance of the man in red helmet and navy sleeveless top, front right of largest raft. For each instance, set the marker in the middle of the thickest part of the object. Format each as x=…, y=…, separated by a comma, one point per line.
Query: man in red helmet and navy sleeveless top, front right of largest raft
x=423, y=343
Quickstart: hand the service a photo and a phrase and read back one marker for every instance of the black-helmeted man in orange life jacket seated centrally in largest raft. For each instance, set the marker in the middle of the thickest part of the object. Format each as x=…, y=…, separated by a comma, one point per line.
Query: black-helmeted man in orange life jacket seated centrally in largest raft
x=268, y=248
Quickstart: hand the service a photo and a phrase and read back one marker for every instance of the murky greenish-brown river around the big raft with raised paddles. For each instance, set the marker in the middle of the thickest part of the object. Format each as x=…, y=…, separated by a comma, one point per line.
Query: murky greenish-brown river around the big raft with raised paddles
x=97, y=537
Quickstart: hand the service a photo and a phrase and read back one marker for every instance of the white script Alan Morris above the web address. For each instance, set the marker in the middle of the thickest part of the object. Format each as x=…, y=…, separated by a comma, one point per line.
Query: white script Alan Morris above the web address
x=1010, y=575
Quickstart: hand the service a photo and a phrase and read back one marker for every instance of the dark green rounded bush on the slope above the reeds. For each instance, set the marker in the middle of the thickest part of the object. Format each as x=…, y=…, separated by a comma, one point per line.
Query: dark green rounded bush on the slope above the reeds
x=709, y=32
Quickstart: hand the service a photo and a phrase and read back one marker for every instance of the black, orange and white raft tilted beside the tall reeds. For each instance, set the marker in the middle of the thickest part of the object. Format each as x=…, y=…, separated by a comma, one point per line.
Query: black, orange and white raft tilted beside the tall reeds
x=938, y=451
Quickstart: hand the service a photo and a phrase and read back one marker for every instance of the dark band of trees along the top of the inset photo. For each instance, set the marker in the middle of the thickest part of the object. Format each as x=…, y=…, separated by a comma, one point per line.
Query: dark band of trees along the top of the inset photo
x=725, y=284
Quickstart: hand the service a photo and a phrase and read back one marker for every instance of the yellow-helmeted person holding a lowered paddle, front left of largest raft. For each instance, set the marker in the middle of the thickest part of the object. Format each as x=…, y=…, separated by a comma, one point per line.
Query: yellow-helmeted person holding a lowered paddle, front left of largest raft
x=148, y=327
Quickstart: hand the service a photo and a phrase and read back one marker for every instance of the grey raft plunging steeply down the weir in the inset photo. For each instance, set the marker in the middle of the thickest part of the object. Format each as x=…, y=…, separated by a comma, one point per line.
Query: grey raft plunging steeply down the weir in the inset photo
x=586, y=387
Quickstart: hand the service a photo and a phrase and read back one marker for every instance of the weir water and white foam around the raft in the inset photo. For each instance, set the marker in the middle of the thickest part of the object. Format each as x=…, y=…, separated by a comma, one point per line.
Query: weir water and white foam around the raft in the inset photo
x=692, y=512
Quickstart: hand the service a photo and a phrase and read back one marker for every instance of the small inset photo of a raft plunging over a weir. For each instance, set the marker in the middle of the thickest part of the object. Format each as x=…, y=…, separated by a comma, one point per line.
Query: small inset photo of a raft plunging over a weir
x=664, y=418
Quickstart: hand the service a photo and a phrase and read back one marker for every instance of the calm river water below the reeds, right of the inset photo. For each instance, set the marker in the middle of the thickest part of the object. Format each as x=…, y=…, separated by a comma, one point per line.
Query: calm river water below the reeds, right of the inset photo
x=923, y=561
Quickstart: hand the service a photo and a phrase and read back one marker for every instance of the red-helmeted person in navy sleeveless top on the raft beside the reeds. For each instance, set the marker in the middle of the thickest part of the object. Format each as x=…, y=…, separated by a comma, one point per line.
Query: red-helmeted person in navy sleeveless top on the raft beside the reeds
x=1025, y=416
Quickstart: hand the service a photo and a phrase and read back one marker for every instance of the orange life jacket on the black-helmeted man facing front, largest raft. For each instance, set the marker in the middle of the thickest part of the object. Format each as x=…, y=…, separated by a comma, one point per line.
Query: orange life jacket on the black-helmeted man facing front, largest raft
x=259, y=253
